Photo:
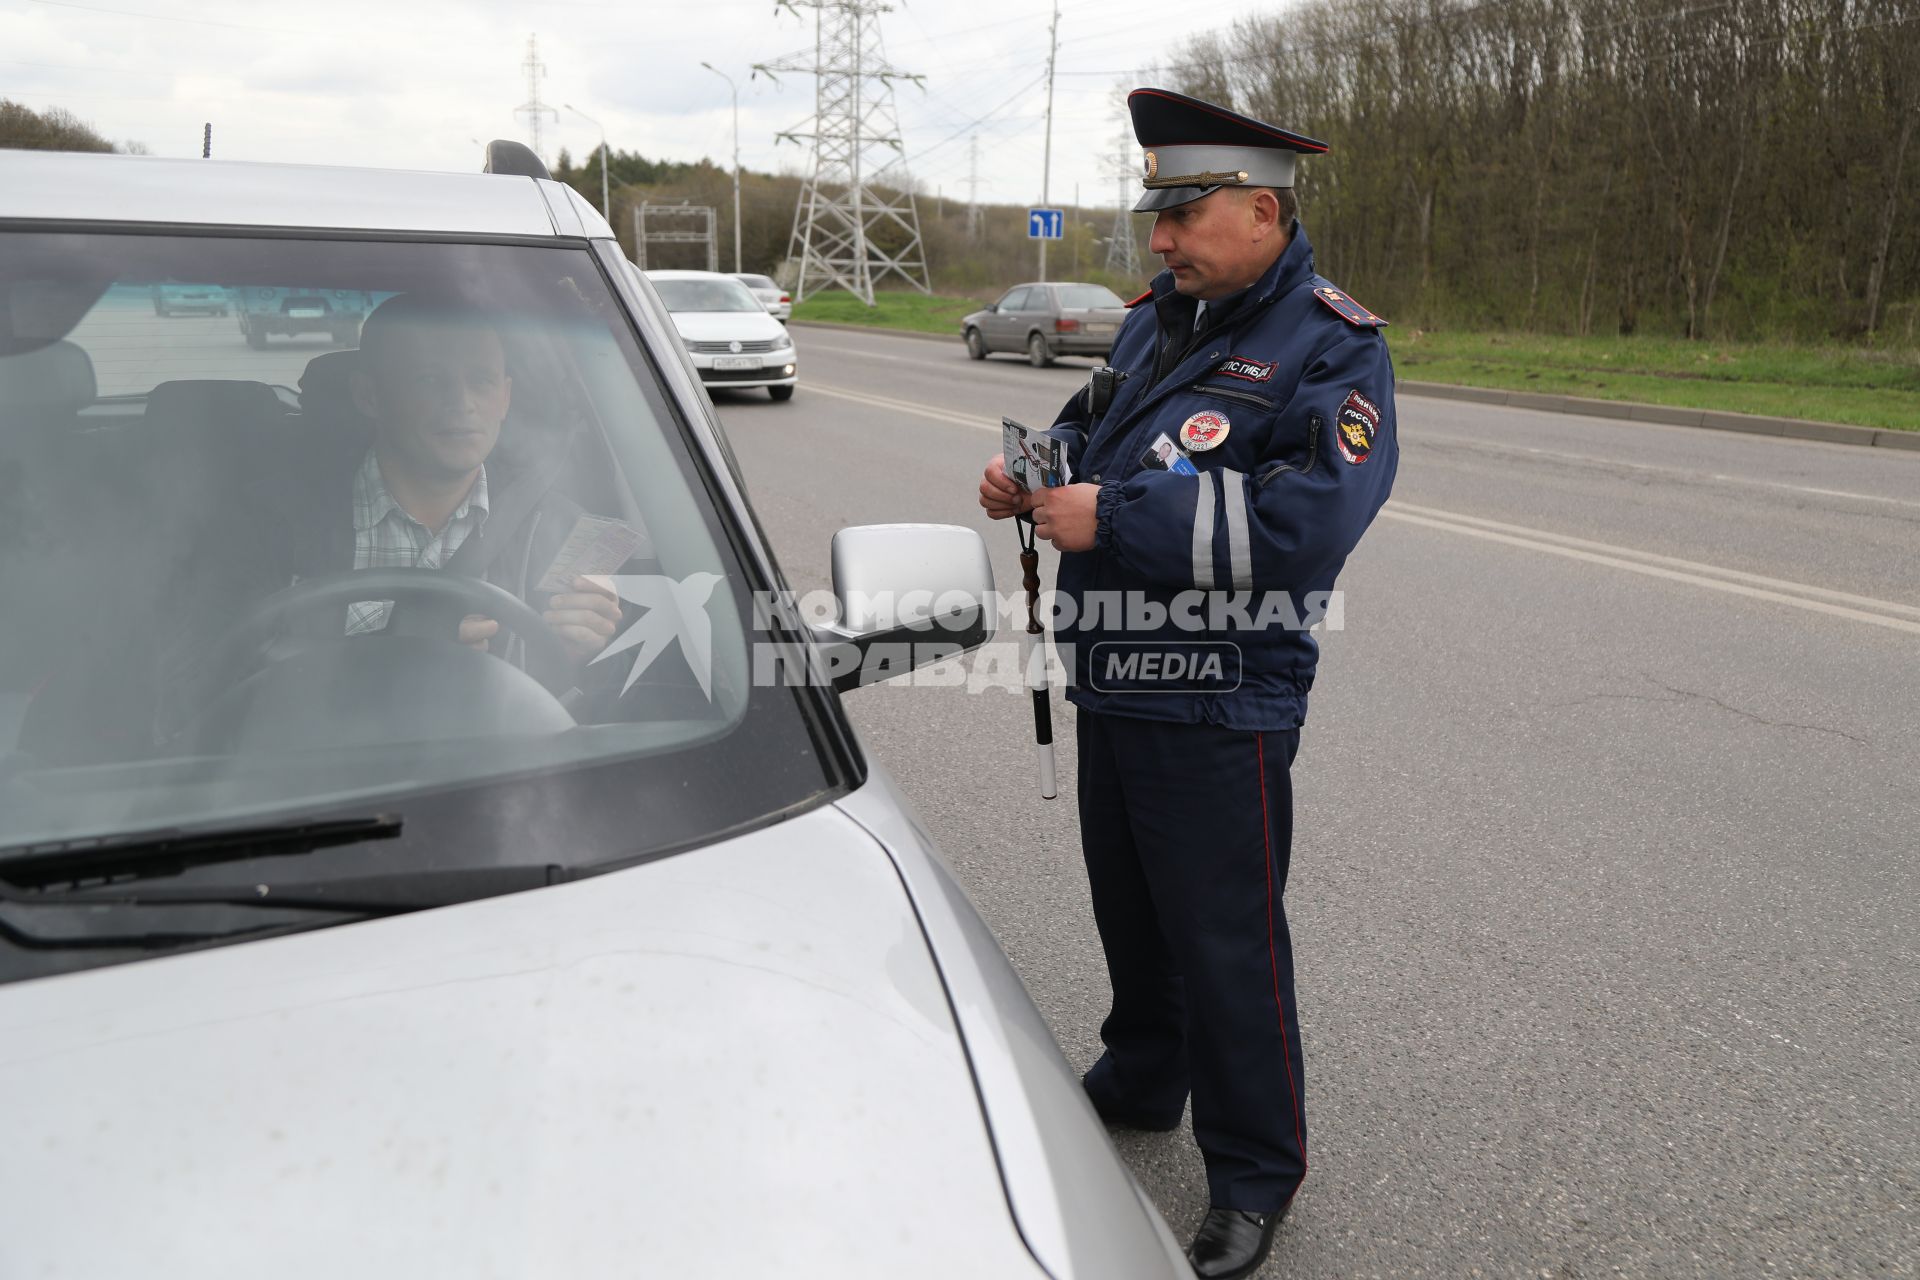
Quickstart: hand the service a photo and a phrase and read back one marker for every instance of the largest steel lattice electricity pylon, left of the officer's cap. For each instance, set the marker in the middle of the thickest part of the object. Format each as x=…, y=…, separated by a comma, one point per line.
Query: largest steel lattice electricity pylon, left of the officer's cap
x=855, y=220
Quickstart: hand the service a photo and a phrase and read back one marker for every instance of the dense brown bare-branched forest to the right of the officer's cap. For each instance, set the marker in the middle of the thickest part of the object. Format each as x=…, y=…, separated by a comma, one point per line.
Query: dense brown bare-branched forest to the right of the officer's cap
x=1702, y=168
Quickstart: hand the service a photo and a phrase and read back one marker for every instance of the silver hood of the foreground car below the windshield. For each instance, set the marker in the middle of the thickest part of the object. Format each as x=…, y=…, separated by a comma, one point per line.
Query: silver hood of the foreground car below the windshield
x=738, y=1058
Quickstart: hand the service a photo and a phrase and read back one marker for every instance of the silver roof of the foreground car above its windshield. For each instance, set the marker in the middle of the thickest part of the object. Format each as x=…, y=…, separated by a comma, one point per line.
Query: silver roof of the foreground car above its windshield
x=212, y=193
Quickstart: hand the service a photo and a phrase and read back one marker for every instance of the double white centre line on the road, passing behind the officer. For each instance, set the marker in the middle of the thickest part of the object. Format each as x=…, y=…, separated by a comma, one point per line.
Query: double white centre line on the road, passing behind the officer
x=1673, y=569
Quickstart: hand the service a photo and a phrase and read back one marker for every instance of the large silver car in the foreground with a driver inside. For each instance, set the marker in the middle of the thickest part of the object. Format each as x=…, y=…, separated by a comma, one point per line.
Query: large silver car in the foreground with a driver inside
x=387, y=957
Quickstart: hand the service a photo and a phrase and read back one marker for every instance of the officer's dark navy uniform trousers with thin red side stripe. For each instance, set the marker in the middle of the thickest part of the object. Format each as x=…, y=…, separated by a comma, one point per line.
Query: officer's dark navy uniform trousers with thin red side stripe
x=1188, y=834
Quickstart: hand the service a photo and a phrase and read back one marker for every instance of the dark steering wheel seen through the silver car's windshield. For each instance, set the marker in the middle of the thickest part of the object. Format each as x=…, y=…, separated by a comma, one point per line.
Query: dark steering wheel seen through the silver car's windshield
x=427, y=604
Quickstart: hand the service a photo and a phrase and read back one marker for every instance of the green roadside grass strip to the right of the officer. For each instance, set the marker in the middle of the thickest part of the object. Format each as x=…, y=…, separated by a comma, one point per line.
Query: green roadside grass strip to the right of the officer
x=1829, y=385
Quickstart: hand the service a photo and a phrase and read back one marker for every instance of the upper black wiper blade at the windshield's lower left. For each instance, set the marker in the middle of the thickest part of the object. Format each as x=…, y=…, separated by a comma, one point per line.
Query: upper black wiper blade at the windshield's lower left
x=178, y=849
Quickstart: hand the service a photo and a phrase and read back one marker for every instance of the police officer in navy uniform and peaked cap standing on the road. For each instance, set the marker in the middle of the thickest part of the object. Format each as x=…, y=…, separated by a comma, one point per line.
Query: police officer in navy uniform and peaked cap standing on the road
x=1189, y=579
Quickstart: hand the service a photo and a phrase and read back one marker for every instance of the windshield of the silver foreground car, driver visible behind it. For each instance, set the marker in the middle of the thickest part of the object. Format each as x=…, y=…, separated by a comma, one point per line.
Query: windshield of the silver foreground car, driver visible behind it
x=299, y=527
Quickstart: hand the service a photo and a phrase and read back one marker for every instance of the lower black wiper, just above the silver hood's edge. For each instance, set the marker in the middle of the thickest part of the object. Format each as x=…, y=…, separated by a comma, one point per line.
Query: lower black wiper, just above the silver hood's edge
x=360, y=895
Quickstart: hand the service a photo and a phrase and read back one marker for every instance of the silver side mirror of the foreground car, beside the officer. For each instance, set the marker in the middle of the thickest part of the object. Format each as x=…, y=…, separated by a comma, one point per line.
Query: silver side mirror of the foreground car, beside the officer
x=909, y=596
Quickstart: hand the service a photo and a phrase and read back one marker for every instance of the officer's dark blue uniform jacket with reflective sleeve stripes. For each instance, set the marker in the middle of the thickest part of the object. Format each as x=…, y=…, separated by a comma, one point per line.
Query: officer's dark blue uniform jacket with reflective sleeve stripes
x=1308, y=458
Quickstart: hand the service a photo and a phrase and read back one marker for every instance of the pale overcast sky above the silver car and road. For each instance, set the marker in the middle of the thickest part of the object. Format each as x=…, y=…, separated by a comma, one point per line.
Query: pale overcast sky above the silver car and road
x=412, y=85
